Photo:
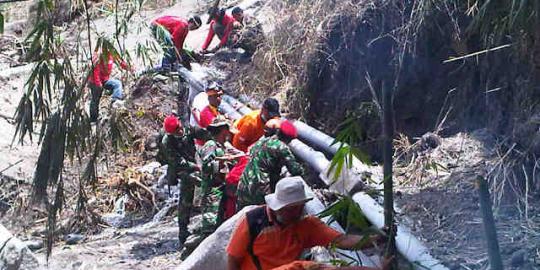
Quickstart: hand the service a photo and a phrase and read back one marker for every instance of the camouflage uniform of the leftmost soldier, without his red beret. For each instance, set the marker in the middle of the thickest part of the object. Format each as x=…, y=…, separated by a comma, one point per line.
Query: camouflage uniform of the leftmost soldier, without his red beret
x=180, y=152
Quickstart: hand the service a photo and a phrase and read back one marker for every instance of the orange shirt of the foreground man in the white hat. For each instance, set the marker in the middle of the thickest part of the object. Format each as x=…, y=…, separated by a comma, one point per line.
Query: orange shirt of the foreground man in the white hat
x=276, y=246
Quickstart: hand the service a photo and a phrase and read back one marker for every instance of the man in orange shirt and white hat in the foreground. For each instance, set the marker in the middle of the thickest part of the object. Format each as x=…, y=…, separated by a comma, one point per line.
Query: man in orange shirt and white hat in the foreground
x=274, y=235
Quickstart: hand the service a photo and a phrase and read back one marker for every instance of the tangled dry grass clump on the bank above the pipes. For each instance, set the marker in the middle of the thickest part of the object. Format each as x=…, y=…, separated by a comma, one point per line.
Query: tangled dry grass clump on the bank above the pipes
x=281, y=64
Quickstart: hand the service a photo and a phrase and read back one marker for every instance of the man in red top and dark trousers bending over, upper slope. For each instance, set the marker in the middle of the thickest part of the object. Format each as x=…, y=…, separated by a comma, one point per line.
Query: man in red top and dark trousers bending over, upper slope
x=171, y=32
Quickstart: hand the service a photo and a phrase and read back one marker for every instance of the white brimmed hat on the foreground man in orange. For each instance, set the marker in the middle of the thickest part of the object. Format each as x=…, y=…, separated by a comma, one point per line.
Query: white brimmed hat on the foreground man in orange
x=289, y=190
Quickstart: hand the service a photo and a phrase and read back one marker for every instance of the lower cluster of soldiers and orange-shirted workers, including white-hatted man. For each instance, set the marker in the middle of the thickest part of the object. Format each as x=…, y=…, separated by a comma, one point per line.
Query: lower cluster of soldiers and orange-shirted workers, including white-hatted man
x=242, y=163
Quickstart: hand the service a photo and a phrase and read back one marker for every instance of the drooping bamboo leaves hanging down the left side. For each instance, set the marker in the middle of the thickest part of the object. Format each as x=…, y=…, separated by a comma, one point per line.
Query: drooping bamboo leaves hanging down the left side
x=55, y=96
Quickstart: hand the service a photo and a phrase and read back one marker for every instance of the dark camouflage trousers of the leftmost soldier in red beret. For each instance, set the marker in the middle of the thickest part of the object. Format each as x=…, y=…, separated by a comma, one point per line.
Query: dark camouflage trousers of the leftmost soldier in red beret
x=185, y=203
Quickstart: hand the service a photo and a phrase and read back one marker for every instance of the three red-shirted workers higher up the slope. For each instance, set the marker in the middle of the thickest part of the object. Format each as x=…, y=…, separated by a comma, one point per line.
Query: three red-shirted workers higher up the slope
x=234, y=30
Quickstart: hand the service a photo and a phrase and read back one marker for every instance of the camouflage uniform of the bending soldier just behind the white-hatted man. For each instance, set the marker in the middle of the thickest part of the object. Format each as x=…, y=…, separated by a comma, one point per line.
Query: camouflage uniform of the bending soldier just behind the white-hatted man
x=268, y=156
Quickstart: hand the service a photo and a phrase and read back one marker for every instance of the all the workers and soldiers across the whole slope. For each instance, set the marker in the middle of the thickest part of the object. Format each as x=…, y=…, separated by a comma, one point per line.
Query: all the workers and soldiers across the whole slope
x=230, y=165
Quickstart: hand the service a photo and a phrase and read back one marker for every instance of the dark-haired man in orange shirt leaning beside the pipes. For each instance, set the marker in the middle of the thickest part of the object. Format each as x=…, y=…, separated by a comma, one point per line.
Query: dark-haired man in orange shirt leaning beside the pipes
x=251, y=126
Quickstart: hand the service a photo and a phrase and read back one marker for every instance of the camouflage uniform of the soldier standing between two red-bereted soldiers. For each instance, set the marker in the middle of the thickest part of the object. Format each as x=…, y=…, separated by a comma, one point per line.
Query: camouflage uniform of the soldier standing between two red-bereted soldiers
x=212, y=186
